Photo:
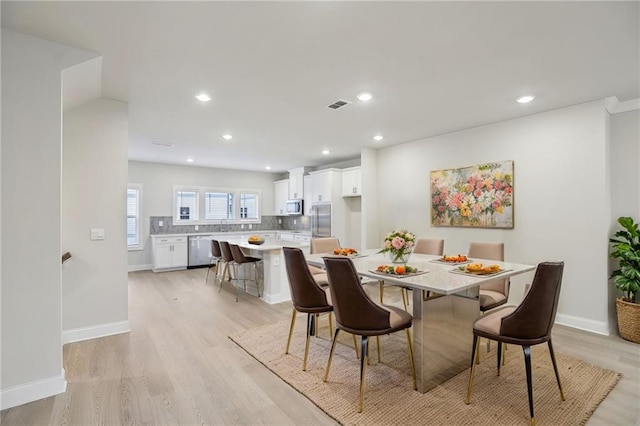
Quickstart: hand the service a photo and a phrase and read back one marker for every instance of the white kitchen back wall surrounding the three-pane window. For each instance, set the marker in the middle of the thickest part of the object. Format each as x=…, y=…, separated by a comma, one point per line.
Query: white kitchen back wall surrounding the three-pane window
x=157, y=192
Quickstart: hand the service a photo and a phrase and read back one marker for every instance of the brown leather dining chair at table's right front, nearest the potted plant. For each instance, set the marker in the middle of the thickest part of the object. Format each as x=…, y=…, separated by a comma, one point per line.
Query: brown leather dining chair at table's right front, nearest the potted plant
x=527, y=324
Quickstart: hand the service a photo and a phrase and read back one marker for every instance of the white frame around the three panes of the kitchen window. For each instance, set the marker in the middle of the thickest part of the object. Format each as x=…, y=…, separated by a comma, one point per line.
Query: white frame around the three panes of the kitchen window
x=201, y=205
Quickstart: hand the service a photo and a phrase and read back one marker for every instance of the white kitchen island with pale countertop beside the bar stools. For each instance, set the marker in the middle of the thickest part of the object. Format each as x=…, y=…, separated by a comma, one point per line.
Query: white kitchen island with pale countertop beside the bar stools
x=274, y=286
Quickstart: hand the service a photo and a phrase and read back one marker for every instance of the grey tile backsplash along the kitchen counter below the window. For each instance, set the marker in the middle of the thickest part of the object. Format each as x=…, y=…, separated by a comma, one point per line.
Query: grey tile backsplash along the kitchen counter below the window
x=288, y=223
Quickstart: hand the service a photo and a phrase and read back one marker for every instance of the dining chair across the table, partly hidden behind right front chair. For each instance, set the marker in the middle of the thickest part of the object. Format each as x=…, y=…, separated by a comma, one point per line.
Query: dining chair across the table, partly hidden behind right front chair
x=493, y=293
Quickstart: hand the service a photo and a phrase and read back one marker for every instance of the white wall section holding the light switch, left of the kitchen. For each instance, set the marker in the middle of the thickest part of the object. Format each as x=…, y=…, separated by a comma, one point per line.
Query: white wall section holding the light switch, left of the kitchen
x=94, y=187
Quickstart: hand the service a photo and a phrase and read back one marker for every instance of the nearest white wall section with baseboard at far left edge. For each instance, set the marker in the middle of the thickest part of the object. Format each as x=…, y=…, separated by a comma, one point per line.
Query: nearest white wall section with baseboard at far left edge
x=31, y=174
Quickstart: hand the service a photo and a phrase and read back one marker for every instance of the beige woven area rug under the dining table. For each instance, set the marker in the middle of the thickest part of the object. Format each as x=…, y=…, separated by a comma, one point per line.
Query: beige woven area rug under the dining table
x=390, y=399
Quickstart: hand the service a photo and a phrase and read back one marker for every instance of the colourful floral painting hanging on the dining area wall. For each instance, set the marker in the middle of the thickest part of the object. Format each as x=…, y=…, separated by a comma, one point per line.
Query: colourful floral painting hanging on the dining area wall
x=477, y=196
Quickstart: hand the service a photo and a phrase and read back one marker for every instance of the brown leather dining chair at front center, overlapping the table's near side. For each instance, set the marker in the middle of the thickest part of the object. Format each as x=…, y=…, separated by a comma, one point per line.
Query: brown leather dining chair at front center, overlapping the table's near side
x=357, y=314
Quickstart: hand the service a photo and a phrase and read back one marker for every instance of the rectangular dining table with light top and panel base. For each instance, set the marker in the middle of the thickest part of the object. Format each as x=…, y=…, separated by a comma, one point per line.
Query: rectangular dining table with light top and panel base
x=445, y=303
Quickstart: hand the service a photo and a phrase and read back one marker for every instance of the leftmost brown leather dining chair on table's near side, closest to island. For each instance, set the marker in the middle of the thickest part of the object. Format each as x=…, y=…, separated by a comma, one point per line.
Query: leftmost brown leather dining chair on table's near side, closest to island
x=307, y=296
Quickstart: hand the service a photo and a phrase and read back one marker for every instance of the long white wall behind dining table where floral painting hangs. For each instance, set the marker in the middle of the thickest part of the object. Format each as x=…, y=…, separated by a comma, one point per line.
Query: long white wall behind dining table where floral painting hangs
x=561, y=198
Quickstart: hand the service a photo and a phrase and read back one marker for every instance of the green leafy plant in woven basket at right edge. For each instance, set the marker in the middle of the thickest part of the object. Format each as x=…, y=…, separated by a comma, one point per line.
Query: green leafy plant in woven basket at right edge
x=626, y=249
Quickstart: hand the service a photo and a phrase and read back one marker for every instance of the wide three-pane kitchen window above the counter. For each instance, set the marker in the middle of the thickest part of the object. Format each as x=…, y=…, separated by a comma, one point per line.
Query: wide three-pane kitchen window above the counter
x=204, y=205
